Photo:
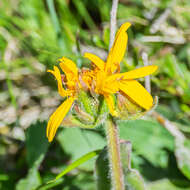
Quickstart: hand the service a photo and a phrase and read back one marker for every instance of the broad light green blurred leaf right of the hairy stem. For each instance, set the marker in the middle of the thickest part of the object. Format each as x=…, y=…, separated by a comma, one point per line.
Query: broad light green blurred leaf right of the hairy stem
x=142, y=133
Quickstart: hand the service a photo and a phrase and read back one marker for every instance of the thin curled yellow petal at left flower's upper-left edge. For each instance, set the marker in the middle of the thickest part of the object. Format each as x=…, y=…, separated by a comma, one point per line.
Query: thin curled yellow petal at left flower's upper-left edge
x=57, y=75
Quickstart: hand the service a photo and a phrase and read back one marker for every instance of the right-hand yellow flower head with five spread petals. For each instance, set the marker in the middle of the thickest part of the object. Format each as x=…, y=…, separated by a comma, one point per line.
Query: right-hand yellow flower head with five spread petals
x=107, y=80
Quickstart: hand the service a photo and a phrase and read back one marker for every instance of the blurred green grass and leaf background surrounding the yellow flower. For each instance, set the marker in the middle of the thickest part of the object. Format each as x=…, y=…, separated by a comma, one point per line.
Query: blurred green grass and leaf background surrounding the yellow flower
x=35, y=33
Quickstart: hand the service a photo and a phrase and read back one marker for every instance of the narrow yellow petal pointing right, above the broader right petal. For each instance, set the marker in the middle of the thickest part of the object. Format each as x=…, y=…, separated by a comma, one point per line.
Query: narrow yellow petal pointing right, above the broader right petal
x=134, y=74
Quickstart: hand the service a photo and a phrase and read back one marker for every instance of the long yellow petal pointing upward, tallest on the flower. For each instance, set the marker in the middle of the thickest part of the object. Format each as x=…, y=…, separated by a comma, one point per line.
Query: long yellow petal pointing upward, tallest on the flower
x=118, y=49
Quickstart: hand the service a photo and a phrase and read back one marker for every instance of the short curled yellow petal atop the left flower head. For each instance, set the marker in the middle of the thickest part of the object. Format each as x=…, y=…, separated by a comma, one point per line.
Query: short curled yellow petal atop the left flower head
x=69, y=68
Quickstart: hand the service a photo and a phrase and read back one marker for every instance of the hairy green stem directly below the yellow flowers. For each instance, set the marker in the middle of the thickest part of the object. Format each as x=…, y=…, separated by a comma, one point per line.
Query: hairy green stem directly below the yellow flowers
x=114, y=155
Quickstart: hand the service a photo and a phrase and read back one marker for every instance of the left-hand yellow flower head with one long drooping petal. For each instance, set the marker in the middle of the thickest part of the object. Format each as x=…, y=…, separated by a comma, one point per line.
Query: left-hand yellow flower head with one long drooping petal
x=70, y=93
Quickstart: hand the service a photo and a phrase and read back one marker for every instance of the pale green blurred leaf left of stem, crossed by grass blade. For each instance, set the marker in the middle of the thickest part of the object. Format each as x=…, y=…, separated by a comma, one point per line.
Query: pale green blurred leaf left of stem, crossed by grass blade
x=85, y=141
